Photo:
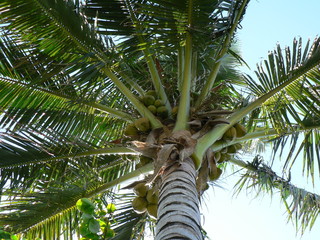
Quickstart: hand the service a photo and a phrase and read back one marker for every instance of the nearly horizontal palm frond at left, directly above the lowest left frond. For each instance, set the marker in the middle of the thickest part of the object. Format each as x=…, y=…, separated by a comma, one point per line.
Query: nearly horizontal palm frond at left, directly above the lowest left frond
x=31, y=159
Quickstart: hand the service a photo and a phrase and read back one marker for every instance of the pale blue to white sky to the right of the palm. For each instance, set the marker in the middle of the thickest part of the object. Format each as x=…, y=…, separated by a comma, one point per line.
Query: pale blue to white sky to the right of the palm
x=247, y=217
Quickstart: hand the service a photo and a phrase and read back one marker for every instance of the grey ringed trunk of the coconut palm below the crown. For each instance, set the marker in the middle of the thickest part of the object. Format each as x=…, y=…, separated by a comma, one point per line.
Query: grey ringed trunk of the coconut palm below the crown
x=178, y=209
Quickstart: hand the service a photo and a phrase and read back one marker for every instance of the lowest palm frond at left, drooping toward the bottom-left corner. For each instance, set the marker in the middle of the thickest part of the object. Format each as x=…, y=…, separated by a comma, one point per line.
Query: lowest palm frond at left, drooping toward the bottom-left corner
x=52, y=205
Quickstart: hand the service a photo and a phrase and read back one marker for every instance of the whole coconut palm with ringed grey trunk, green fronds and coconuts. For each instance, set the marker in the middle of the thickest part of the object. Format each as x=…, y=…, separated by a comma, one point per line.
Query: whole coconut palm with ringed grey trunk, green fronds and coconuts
x=95, y=93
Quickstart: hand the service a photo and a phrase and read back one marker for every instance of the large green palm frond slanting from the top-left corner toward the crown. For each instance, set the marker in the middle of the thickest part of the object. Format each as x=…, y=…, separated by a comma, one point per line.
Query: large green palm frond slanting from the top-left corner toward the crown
x=31, y=61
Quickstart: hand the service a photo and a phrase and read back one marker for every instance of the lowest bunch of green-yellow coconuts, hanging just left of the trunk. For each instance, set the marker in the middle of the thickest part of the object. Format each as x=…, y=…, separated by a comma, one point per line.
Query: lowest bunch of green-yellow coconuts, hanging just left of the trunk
x=146, y=200
